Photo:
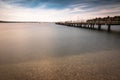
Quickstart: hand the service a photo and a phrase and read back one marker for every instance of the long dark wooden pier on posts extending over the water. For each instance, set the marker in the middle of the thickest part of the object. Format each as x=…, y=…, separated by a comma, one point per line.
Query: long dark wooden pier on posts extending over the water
x=90, y=24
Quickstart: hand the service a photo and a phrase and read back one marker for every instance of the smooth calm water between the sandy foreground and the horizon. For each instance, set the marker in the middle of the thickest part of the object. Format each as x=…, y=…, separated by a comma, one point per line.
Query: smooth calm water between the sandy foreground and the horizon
x=21, y=42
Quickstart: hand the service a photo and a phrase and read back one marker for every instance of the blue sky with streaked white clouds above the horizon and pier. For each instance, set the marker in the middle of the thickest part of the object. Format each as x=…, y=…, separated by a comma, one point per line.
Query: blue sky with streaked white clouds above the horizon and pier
x=57, y=10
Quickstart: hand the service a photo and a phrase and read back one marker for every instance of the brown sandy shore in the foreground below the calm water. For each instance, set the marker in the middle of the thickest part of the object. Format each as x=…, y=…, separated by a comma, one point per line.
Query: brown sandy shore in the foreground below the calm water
x=90, y=66
